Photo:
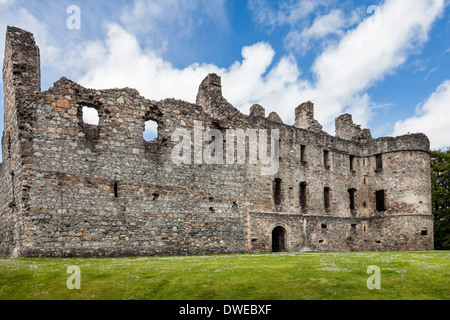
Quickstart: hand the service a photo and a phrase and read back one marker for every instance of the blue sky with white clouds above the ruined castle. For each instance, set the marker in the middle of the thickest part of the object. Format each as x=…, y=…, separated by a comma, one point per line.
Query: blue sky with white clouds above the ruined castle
x=385, y=62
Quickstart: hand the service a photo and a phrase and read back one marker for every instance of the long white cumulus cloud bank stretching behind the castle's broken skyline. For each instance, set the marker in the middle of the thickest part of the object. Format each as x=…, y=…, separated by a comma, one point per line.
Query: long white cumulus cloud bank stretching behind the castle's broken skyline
x=343, y=72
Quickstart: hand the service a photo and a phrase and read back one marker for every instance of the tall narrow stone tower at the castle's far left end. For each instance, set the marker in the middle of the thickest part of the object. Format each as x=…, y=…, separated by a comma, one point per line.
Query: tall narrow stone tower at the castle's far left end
x=21, y=81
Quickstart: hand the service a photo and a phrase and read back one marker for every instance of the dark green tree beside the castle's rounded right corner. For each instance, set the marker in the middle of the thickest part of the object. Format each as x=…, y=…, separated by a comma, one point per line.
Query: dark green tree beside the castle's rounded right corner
x=440, y=185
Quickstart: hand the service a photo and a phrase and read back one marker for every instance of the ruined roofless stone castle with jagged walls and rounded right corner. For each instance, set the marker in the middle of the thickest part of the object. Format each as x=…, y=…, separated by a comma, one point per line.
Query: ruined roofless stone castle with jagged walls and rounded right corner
x=74, y=189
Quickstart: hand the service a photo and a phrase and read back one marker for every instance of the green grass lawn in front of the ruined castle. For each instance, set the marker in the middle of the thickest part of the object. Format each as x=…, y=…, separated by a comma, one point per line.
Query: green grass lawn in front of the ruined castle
x=287, y=276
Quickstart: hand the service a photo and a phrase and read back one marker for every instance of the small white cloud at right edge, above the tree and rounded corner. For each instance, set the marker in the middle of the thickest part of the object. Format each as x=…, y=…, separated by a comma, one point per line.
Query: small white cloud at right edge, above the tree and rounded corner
x=432, y=118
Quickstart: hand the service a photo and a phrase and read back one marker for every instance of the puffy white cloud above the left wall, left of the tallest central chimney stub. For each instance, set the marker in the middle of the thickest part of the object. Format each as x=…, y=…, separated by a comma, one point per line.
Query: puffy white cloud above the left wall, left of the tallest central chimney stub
x=125, y=64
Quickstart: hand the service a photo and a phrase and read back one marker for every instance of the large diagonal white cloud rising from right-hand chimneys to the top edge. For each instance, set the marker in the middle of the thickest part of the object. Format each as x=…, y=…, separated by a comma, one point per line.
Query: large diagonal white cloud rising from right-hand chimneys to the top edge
x=365, y=55
